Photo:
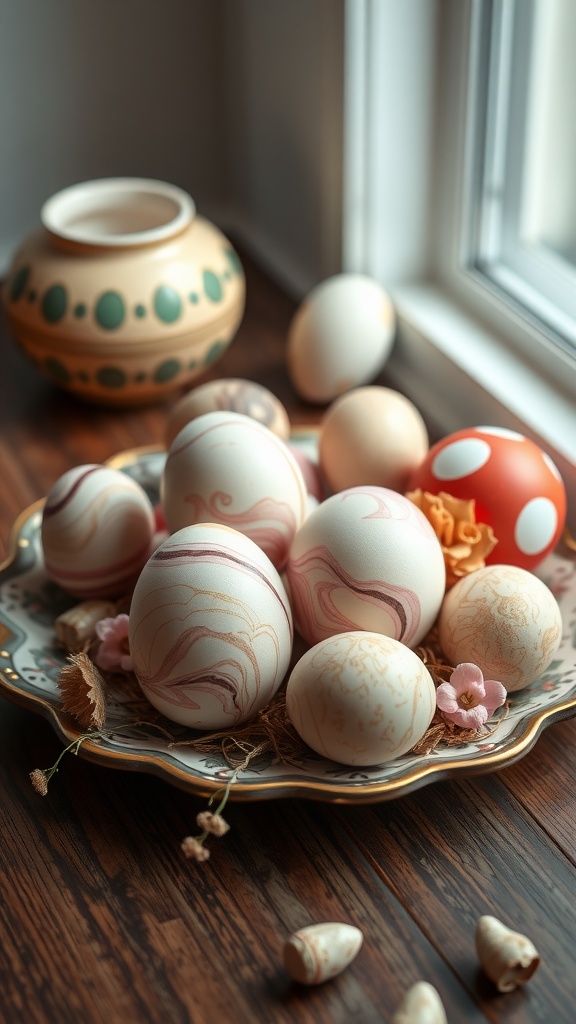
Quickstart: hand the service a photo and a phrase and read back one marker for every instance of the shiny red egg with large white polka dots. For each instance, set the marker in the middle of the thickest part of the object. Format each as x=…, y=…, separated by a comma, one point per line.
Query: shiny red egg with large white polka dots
x=517, y=489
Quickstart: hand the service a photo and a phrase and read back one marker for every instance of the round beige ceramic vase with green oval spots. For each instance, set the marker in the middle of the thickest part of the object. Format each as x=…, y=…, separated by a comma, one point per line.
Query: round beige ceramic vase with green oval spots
x=125, y=294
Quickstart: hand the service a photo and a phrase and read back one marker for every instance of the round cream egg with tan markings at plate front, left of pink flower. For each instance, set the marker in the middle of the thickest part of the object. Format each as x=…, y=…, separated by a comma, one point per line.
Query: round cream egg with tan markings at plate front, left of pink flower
x=361, y=699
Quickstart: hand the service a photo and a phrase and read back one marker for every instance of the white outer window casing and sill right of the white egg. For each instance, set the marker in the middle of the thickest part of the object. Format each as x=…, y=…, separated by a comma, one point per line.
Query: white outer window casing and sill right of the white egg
x=463, y=355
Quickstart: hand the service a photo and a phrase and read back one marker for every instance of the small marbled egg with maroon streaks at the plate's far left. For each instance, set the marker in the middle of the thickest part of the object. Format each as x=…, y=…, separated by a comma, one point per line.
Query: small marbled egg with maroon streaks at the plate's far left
x=98, y=527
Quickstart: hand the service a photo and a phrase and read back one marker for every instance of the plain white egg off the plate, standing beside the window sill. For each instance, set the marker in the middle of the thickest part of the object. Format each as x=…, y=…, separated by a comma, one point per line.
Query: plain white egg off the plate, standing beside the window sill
x=340, y=337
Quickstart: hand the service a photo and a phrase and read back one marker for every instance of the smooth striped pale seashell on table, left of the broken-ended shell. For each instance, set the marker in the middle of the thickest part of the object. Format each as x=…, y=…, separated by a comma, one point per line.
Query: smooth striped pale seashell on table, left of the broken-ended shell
x=321, y=952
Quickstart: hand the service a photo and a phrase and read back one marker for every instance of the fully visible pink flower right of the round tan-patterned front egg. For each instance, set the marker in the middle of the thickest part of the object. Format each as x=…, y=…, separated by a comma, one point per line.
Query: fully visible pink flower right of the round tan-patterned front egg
x=469, y=700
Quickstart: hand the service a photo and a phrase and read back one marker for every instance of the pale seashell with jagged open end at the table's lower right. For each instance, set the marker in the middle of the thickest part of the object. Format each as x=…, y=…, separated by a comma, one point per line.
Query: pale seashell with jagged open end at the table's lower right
x=509, y=959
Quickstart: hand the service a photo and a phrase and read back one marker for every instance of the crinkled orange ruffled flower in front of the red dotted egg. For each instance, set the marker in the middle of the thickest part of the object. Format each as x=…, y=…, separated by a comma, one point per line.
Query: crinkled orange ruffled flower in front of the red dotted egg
x=466, y=543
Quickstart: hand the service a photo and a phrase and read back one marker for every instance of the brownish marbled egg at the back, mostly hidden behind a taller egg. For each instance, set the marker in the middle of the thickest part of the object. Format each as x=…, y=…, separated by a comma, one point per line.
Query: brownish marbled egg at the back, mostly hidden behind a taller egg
x=235, y=395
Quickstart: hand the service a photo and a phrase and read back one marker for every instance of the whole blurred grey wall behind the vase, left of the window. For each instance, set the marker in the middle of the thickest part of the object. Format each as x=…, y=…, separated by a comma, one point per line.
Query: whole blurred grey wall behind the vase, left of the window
x=238, y=102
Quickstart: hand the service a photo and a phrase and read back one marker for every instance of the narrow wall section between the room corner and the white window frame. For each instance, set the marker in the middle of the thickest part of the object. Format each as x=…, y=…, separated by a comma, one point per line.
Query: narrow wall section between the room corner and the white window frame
x=285, y=104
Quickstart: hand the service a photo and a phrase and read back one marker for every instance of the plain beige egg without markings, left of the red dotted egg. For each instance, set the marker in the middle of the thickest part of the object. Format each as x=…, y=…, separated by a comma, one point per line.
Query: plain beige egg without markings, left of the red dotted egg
x=372, y=436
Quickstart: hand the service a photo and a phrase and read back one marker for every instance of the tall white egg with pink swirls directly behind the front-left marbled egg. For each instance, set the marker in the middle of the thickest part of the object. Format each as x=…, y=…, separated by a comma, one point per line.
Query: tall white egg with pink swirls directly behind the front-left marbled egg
x=228, y=468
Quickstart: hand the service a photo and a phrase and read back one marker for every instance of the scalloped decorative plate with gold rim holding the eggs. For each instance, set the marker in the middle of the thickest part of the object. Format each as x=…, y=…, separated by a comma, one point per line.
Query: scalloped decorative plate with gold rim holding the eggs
x=30, y=663
